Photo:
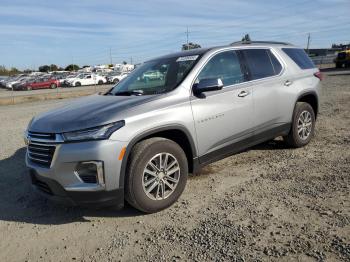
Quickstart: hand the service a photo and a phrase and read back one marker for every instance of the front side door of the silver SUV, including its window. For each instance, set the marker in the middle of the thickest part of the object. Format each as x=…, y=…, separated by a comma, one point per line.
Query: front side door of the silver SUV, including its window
x=222, y=117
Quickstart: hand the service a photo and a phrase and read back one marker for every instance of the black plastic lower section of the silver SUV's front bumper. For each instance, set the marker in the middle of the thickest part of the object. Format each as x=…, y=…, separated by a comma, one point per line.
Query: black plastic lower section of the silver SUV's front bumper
x=52, y=190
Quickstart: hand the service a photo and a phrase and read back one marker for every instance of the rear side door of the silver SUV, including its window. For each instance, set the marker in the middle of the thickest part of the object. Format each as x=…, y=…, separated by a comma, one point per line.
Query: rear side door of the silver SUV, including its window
x=268, y=87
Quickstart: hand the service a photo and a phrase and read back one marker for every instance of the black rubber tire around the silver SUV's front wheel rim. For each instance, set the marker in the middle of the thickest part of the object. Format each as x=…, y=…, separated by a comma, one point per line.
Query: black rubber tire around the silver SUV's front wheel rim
x=140, y=155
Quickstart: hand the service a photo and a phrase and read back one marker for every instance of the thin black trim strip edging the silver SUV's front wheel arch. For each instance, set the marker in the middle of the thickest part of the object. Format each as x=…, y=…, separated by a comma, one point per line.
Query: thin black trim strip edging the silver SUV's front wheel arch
x=147, y=133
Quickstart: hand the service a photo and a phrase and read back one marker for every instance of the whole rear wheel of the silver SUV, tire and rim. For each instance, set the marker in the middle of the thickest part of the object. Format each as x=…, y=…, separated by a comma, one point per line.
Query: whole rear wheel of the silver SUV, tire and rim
x=297, y=139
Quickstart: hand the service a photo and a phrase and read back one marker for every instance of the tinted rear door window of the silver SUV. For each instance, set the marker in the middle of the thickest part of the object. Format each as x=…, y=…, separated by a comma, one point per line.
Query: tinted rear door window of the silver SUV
x=261, y=63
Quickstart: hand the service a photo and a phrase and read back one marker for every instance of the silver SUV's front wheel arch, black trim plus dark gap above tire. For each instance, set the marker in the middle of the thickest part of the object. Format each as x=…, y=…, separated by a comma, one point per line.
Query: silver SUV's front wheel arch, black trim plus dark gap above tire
x=176, y=133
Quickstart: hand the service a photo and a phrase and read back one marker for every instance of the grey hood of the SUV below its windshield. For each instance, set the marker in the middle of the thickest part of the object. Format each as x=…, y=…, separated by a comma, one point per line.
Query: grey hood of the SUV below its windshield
x=86, y=112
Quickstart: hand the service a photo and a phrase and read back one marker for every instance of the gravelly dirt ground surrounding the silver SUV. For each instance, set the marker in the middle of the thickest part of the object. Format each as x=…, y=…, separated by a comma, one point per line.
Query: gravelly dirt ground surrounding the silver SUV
x=268, y=203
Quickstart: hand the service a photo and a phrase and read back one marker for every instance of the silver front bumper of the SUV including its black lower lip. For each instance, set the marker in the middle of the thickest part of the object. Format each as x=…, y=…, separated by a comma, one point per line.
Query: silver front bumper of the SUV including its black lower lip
x=63, y=182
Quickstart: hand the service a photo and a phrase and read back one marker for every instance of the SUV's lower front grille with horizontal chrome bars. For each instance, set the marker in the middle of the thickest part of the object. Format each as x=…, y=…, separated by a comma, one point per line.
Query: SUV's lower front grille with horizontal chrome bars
x=41, y=154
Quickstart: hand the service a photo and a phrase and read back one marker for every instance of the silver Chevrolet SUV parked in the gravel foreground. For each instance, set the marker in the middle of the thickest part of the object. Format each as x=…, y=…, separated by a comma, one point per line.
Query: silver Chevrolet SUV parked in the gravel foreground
x=142, y=138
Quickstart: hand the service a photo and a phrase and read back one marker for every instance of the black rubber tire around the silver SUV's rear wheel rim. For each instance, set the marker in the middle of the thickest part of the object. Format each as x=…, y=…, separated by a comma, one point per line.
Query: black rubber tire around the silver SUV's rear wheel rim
x=294, y=139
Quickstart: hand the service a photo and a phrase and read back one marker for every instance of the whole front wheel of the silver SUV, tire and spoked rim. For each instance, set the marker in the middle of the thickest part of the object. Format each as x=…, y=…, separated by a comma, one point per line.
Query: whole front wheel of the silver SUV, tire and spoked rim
x=136, y=178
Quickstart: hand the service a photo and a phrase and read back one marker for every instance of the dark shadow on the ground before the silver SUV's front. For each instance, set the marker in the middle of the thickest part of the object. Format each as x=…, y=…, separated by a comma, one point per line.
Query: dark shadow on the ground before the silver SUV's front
x=20, y=203
